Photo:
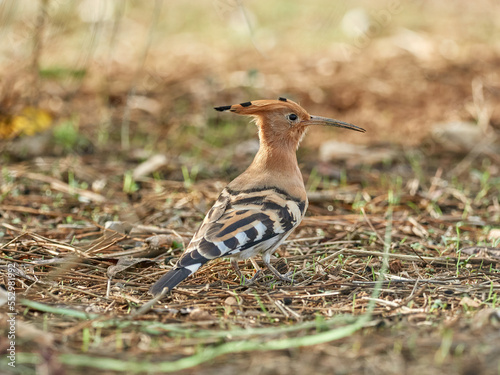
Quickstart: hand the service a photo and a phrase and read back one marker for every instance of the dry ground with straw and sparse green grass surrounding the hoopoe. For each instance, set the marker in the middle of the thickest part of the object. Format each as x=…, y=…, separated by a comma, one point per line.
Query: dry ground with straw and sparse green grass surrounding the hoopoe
x=396, y=263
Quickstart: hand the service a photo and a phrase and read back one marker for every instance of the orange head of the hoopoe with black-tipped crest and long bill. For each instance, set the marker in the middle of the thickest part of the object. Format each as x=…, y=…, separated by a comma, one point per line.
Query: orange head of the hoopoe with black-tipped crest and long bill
x=282, y=122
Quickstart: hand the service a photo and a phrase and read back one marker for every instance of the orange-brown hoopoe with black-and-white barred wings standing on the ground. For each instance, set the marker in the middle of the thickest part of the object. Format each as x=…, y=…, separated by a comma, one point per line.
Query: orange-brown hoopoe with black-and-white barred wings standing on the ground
x=260, y=208
